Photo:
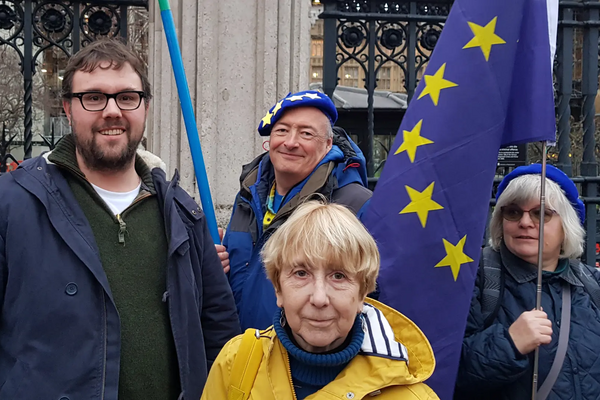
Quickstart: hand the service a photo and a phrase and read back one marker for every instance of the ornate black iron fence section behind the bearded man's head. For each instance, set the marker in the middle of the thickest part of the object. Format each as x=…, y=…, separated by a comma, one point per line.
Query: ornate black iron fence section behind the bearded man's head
x=36, y=39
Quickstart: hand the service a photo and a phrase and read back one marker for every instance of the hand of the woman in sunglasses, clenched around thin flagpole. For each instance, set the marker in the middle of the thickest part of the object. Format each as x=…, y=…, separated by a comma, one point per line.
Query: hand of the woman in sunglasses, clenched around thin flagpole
x=530, y=330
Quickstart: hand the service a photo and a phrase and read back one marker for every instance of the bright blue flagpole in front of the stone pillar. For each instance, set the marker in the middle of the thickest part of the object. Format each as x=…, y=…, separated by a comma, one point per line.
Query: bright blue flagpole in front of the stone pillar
x=189, y=119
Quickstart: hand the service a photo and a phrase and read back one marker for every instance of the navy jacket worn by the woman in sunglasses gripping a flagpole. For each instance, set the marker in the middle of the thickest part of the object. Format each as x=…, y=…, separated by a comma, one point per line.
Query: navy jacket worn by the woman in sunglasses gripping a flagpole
x=492, y=368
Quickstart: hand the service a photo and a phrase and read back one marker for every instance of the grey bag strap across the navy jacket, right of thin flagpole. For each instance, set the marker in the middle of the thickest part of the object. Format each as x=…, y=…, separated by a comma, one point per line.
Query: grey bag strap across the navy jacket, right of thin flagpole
x=563, y=343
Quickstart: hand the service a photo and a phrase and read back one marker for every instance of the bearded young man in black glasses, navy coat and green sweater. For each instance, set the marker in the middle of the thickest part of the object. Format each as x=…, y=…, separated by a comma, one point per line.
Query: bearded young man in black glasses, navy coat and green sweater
x=110, y=286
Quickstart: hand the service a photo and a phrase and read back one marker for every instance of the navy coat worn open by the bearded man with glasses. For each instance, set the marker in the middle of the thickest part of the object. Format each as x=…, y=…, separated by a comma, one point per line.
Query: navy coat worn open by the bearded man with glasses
x=58, y=346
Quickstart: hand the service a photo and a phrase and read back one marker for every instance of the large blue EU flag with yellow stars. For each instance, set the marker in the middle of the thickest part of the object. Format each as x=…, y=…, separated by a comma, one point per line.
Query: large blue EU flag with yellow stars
x=488, y=84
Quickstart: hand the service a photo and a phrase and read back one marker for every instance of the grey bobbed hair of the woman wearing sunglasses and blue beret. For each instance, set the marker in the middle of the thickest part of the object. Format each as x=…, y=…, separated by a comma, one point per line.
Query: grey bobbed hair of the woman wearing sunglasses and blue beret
x=526, y=188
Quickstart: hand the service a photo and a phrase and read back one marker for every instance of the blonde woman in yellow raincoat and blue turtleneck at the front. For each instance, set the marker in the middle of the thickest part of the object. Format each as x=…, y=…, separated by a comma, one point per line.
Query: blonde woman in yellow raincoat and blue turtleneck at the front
x=327, y=340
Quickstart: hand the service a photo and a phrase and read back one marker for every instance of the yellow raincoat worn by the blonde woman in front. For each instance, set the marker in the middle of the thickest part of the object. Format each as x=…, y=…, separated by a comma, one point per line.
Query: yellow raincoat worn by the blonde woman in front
x=365, y=377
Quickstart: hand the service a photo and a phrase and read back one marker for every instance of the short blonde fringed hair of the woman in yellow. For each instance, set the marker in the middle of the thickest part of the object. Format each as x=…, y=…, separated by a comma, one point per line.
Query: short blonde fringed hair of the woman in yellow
x=328, y=234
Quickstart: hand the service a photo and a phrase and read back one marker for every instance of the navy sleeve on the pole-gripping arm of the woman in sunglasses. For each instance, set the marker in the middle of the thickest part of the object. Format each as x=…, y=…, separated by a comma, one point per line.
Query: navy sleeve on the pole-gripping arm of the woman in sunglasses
x=489, y=357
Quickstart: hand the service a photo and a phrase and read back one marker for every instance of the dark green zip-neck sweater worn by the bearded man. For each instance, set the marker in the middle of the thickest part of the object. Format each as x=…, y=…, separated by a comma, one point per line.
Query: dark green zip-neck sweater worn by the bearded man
x=133, y=251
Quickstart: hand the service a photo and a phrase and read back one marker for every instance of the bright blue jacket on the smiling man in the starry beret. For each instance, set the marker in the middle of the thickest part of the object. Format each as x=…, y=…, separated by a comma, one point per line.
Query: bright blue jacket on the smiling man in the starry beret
x=341, y=177
